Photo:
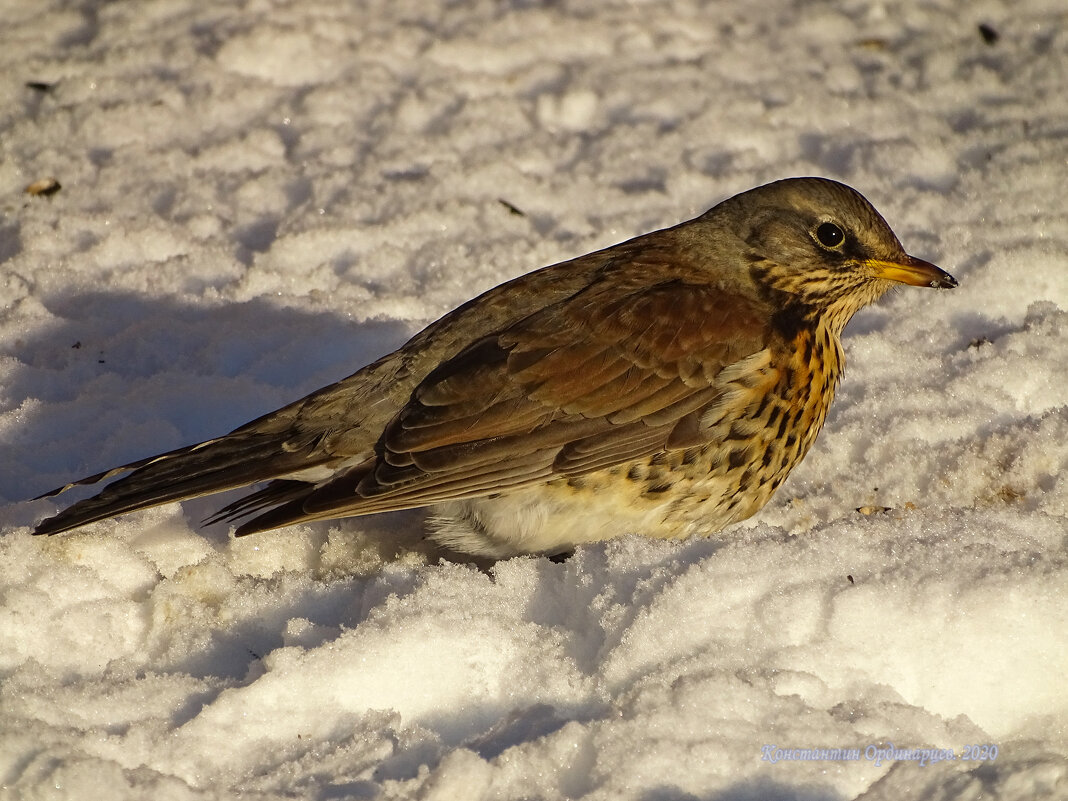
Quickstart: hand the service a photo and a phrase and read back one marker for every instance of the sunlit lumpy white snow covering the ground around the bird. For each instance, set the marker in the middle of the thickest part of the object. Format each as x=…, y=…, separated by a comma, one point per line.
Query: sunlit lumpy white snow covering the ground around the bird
x=258, y=198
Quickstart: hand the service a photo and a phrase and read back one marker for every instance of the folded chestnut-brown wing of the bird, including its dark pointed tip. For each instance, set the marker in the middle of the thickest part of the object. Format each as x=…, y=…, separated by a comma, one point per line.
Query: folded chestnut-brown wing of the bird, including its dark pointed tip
x=618, y=372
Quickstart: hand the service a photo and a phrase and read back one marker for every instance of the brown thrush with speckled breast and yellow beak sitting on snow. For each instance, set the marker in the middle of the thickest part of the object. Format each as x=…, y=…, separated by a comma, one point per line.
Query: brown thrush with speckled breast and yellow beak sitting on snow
x=663, y=387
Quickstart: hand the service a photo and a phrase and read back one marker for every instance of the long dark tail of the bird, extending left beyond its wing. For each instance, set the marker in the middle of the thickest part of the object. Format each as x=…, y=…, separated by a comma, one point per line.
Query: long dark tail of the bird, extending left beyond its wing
x=210, y=467
